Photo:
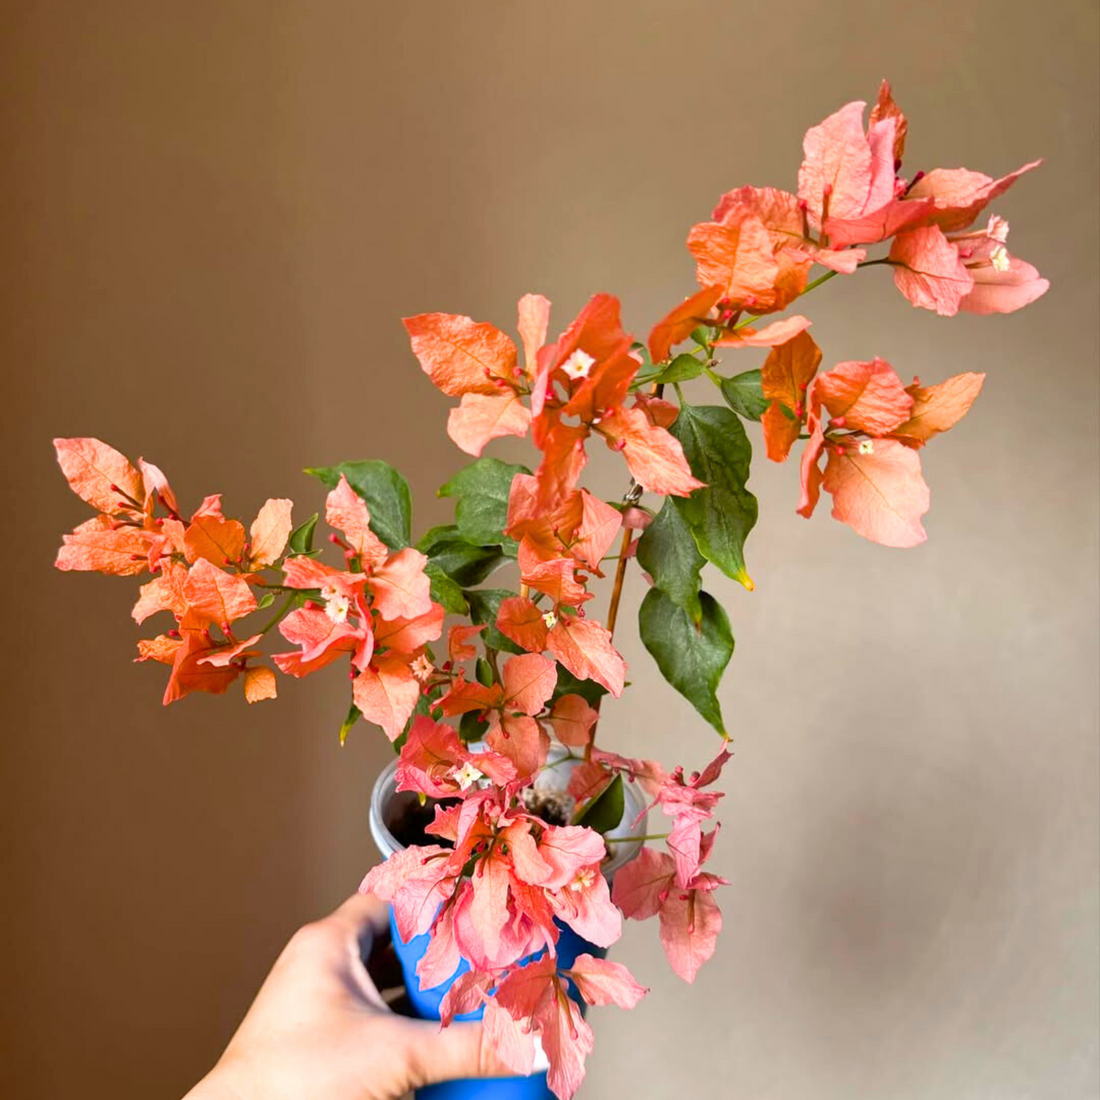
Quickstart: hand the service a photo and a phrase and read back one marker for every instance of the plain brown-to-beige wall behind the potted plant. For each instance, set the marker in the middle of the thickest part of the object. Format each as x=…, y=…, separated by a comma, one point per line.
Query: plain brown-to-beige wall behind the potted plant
x=216, y=214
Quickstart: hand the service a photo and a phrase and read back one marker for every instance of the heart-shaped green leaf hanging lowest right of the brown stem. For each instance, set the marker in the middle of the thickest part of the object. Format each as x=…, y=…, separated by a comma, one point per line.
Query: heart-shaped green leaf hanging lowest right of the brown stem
x=691, y=657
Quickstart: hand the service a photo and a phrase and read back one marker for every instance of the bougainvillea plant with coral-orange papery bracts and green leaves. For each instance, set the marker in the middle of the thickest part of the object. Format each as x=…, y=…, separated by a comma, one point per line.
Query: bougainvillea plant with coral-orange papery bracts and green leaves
x=474, y=718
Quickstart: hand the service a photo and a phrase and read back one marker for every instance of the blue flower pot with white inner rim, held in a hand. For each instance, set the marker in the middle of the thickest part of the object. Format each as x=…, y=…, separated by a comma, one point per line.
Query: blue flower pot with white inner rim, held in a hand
x=387, y=804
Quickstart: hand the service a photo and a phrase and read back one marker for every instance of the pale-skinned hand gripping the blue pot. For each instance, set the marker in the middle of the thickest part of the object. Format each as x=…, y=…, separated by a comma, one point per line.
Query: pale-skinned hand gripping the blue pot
x=321, y=1030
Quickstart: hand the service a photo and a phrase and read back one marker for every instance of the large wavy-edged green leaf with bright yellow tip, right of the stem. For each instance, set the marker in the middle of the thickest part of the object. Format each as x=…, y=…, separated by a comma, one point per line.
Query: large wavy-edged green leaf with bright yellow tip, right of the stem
x=721, y=515
